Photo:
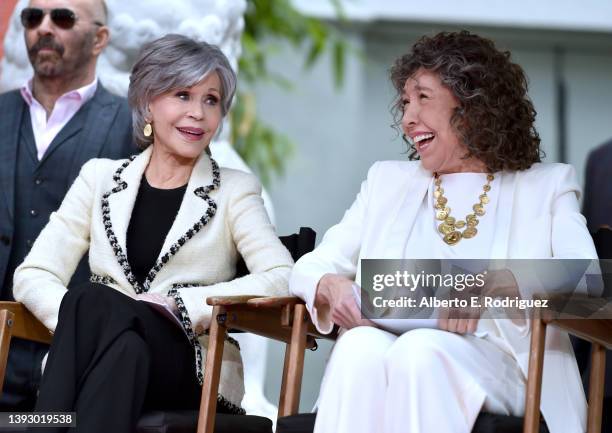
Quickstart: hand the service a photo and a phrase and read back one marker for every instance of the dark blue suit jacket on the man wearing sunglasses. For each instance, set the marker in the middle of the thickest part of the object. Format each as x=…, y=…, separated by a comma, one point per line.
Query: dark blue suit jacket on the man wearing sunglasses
x=100, y=129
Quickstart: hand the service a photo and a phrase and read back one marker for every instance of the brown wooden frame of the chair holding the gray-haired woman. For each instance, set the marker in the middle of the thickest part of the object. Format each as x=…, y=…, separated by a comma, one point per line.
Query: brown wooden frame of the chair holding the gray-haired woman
x=277, y=320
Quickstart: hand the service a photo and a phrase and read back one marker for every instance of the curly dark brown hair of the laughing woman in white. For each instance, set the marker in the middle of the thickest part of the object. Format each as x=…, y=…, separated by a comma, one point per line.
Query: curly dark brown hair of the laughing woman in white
x=495, y=117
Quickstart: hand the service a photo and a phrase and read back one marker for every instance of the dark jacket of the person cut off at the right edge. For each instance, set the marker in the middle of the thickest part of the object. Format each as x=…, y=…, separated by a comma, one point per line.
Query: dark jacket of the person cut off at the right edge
x=597, y=203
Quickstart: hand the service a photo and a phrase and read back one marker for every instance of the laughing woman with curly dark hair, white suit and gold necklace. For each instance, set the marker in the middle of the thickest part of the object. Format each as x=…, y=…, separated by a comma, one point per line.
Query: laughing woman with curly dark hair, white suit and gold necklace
x=475, y=190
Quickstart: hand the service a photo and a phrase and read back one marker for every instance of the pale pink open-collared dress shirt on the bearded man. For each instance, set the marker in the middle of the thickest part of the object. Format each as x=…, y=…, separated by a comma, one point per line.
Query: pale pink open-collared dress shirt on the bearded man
x=46, y=129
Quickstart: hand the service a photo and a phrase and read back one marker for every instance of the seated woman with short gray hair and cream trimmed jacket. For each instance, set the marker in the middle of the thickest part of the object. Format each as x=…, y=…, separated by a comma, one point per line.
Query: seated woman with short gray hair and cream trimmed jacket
x=164, y=231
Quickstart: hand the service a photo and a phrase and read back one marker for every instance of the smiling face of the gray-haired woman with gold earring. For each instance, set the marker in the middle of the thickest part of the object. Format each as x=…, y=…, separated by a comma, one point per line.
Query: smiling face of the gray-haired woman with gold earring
x=185, y=120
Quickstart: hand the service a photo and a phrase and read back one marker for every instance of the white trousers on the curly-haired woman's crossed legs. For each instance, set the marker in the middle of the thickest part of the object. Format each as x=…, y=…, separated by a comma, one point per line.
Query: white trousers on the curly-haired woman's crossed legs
x=424, y=381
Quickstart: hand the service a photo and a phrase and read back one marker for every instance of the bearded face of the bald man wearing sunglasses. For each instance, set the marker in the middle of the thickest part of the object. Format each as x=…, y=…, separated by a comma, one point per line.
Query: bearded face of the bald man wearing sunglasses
x=55, y=52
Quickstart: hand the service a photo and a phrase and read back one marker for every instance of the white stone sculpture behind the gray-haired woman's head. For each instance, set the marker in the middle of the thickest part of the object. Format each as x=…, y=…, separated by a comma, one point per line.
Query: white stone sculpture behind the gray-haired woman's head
x=132, y=24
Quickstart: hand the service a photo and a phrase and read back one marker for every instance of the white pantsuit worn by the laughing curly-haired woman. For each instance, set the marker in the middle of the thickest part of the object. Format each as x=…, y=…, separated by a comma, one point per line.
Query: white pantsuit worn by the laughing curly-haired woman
x=431, y=380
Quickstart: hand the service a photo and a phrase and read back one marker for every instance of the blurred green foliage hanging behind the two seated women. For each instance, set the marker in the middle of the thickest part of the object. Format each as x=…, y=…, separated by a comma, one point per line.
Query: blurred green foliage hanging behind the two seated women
x=268, y=23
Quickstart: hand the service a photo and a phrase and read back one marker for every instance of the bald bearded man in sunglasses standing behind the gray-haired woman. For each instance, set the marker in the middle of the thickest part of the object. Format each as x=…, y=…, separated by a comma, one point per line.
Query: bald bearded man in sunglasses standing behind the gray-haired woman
x=49, y=128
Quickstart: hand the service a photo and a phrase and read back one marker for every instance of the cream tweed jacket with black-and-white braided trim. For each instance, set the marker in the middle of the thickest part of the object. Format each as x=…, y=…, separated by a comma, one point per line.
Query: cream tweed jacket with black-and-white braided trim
x=220, y=218
